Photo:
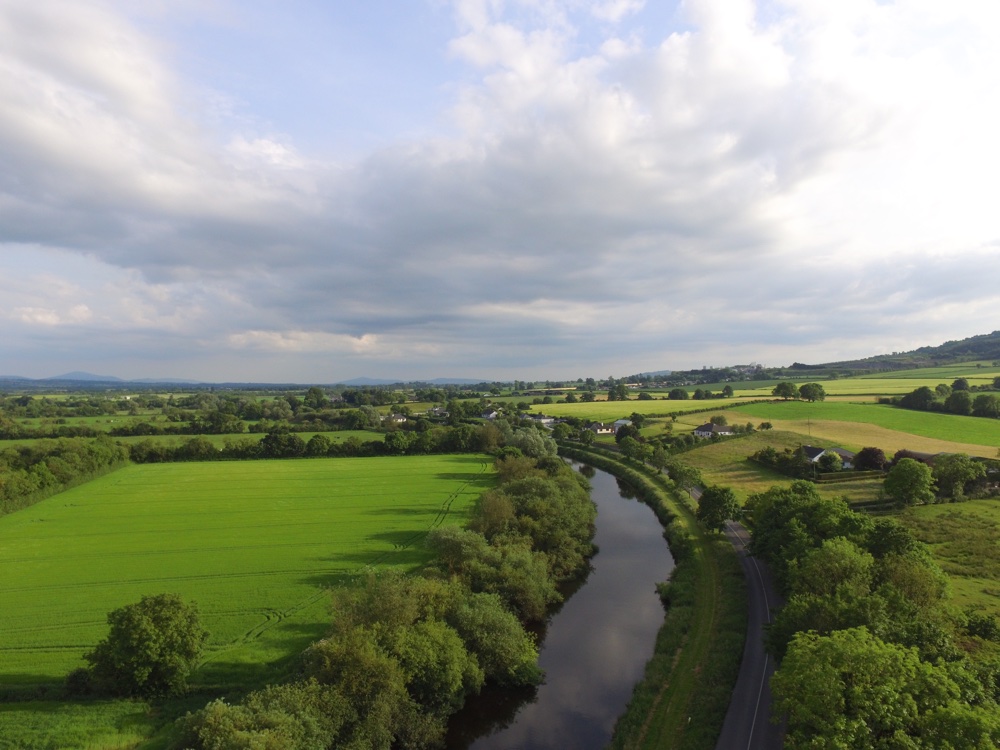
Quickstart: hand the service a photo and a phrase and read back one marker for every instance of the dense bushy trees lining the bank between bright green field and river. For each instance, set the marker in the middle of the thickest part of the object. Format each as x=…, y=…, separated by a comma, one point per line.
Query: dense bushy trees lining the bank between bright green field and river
x=404, y=652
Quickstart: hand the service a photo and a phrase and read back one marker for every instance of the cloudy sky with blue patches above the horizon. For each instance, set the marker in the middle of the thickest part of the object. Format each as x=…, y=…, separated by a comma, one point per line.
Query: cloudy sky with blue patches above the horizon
x=314, y=191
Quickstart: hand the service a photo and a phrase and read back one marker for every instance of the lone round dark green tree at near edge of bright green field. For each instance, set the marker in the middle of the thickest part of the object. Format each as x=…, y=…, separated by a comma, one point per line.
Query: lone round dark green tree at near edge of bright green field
x=151, y=648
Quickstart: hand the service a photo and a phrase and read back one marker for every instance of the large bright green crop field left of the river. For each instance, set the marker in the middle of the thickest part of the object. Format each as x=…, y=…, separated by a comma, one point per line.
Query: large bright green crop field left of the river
x=253, y=543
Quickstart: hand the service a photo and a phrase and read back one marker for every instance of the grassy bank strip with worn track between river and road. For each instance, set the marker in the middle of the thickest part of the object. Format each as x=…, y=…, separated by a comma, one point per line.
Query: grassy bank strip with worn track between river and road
x=682, y=700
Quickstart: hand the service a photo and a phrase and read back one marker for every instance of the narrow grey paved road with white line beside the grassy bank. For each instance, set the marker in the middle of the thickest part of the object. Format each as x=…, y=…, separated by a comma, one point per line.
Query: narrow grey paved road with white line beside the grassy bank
x=747, y=725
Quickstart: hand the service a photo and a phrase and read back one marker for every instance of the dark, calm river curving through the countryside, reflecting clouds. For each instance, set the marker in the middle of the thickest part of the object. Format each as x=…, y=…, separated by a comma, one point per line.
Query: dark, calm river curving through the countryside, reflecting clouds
x=595, y=647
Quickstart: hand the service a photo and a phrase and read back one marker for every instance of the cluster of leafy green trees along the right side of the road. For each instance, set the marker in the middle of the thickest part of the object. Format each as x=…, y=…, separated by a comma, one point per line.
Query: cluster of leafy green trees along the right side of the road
x=871, y=656
